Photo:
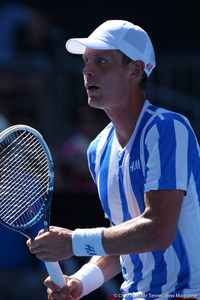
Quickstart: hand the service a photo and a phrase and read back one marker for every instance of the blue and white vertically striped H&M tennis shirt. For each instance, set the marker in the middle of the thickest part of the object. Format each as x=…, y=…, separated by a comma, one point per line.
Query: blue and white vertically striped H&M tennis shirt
x=163, y=153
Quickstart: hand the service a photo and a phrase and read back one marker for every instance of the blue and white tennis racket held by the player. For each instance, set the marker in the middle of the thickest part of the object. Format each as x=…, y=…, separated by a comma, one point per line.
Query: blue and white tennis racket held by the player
x=26, y=184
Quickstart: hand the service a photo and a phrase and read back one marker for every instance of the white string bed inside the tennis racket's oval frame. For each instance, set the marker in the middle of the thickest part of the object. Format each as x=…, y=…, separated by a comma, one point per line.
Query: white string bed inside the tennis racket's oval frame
x=24, y=171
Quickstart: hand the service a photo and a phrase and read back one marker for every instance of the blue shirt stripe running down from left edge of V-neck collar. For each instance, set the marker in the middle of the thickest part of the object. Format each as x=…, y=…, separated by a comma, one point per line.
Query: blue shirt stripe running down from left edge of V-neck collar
x=103, y=175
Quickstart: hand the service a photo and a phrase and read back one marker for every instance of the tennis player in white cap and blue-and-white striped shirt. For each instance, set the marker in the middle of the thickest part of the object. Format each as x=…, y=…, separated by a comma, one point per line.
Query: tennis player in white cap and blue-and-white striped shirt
x=146, y=165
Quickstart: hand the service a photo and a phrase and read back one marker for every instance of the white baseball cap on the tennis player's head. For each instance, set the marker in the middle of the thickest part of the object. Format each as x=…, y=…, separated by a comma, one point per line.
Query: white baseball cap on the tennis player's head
x=130, y=39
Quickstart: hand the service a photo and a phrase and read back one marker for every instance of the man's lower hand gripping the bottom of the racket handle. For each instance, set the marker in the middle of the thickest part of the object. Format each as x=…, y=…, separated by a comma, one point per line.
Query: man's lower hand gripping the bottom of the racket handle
x=71, y=291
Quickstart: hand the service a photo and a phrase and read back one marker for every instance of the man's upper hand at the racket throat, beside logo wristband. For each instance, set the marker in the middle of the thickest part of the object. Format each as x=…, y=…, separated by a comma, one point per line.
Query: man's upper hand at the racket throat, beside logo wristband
x=54, y=245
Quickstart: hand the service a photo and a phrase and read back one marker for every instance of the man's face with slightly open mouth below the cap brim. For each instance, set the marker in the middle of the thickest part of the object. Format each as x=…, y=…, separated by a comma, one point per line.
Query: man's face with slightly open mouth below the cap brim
x=105, y=78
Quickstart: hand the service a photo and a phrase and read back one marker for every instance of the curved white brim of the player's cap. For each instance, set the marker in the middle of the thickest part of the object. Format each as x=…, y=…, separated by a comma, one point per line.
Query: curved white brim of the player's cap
x=77, y=46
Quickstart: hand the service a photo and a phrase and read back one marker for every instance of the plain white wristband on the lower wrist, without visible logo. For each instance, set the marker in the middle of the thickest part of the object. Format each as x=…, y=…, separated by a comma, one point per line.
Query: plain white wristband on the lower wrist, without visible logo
x=91, y=278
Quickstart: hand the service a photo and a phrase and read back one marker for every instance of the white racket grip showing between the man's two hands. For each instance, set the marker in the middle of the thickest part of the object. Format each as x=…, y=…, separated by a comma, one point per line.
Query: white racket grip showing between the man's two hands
x=55, y=273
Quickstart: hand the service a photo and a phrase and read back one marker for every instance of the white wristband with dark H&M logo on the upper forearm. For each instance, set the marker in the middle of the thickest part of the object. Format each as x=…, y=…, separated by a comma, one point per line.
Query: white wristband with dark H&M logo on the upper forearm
x=88, y=242
